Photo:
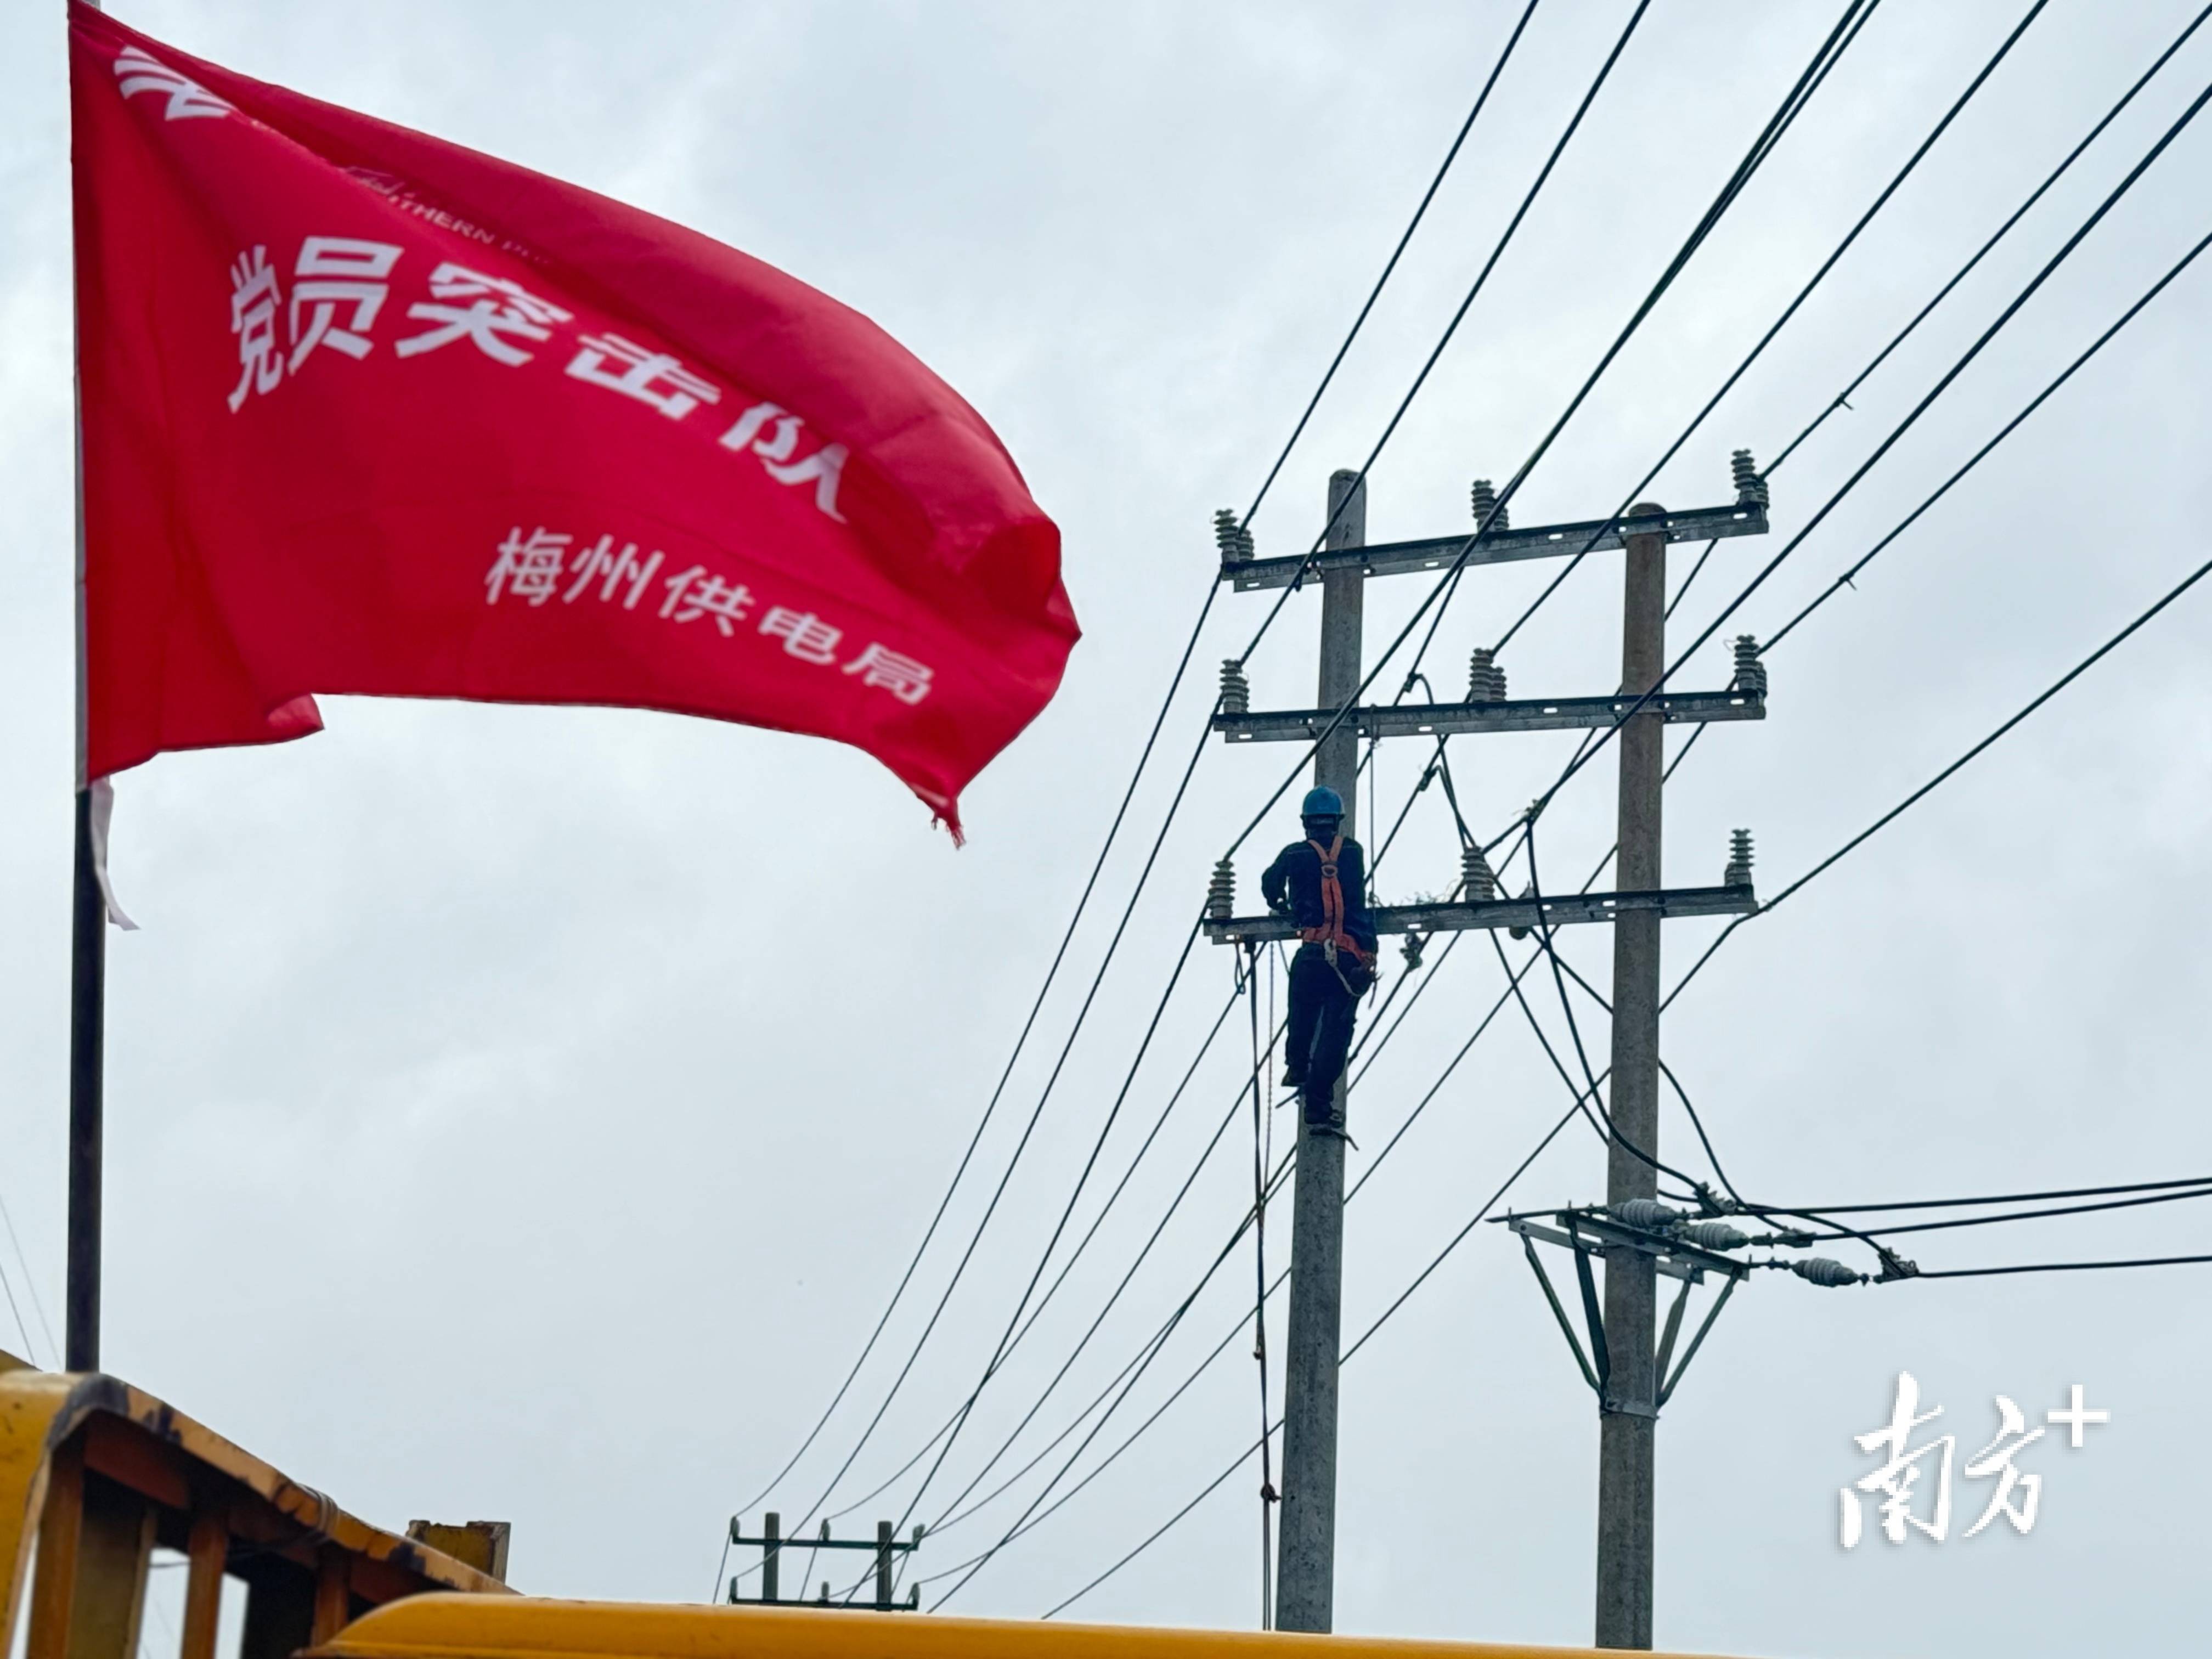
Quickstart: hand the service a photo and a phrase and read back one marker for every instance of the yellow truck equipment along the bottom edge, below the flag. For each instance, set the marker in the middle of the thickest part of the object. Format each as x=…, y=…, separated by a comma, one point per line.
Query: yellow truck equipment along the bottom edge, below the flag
x=96, y=1474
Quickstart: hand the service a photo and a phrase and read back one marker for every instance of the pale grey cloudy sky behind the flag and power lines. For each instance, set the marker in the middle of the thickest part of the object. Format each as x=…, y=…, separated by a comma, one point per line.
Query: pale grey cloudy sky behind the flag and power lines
x=528, y=1112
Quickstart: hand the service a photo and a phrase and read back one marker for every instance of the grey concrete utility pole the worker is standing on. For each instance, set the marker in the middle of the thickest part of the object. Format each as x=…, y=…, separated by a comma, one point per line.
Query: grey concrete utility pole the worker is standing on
x=1306, y=1558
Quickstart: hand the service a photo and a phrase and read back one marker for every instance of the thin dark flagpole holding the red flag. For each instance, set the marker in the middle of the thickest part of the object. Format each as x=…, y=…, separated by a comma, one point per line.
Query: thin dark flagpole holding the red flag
x=87, y=1005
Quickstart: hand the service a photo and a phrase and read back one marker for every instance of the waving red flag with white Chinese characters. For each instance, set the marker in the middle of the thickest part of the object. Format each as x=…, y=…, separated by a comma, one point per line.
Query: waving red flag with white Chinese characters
x=368, y=413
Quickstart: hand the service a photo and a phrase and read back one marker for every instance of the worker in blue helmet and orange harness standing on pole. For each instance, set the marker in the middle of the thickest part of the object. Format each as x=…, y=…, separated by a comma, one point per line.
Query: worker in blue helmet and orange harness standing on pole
x=1322, y=886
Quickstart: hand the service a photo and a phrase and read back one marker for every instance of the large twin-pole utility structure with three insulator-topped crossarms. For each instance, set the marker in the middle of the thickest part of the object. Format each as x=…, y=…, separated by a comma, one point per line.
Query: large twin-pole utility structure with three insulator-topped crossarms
x=1625, y=1375
